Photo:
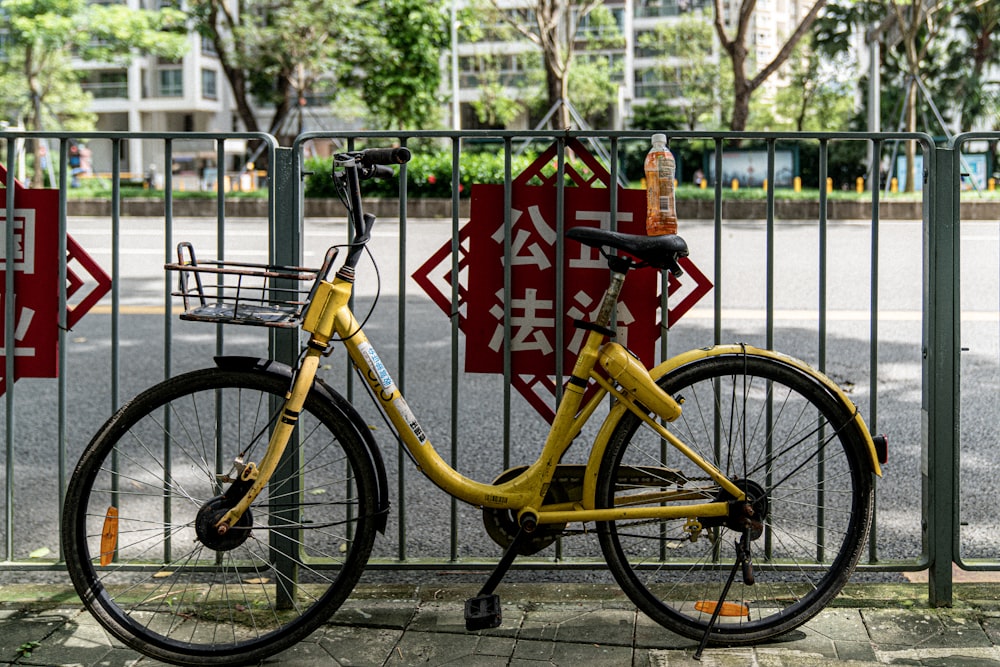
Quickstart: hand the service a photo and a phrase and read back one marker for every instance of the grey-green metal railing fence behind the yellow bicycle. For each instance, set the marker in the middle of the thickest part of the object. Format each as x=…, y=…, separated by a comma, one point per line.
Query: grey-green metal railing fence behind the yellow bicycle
x=869, y=290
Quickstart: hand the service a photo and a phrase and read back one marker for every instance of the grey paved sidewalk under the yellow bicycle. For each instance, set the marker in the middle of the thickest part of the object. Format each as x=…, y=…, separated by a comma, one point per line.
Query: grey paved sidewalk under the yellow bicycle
x=548, y=624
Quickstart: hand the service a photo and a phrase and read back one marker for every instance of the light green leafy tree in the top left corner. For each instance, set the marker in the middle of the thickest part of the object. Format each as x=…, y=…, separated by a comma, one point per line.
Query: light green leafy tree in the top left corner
x=41, y=84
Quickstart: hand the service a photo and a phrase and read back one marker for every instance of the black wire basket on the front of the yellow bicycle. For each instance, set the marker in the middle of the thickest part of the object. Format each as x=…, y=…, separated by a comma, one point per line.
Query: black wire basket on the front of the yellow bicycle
x=243, y=293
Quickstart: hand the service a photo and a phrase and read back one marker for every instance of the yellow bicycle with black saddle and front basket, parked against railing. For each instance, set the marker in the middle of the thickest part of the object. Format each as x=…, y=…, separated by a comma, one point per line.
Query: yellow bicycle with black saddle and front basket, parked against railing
x=224, y=514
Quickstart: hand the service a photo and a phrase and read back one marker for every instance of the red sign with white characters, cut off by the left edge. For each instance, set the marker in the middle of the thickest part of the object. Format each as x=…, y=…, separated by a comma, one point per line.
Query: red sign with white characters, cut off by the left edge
x=36, y=281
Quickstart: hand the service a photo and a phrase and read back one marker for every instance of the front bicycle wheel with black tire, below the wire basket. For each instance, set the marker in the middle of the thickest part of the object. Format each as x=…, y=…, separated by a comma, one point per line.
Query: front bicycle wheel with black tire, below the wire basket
x=176, y=595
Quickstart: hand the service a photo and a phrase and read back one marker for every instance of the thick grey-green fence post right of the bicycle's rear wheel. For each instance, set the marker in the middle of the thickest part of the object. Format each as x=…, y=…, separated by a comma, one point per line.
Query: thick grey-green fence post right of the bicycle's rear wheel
x=940, y=402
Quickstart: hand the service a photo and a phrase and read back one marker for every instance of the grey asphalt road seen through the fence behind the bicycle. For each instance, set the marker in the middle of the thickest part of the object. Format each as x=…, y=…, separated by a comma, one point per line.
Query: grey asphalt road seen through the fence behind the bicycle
x=421, y=525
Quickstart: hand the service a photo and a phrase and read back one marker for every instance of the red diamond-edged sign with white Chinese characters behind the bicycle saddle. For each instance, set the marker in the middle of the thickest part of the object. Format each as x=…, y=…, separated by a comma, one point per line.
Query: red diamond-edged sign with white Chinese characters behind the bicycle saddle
x=532, y=290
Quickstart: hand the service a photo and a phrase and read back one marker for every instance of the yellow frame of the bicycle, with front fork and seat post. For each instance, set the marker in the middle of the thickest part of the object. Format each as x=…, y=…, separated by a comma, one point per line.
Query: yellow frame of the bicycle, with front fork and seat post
x=329, y=315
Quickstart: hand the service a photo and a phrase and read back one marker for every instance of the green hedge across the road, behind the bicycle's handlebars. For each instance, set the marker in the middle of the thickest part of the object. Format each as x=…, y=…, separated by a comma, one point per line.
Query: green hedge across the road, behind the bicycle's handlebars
x=427, y=174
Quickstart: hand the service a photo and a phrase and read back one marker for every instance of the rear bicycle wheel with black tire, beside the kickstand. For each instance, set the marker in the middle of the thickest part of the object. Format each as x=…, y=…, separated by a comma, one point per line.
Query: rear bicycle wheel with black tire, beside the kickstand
x=808, y=471
